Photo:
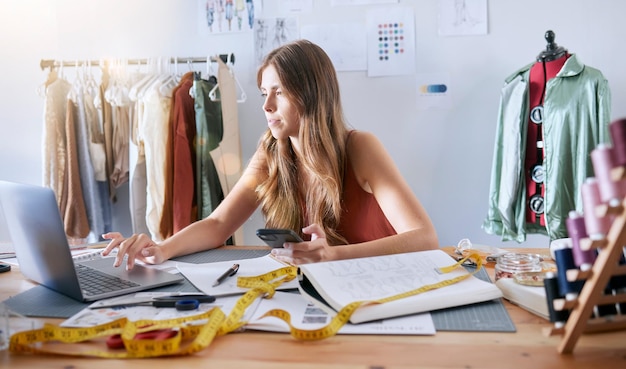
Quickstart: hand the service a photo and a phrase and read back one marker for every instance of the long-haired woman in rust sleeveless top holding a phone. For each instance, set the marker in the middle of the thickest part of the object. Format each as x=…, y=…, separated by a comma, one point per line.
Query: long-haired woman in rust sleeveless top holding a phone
x=337, y=187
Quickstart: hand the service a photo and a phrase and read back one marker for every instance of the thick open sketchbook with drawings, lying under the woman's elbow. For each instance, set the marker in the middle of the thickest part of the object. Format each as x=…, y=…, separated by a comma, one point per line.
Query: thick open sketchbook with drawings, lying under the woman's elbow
x=335, y=284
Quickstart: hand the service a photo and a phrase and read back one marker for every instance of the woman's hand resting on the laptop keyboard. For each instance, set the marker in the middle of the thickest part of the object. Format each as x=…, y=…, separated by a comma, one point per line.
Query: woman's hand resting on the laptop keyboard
x=137, y=247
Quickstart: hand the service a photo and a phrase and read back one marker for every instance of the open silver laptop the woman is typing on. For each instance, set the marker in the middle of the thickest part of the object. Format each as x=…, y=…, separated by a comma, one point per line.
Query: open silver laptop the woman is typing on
x=44, y=256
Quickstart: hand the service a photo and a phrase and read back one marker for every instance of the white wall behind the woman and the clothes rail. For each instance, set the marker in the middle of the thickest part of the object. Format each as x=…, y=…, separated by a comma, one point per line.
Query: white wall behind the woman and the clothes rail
x=444, y=154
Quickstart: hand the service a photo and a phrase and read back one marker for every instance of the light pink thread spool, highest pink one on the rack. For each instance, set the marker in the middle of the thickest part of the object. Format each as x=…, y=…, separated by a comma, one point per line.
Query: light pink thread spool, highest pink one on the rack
x=611, y=192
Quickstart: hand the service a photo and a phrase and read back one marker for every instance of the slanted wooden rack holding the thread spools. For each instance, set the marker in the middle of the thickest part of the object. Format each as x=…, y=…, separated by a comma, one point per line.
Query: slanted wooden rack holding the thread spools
x=592, y=294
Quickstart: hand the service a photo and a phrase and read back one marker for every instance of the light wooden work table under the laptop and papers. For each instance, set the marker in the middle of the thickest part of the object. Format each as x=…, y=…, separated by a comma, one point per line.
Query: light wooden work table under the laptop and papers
x=527, y=348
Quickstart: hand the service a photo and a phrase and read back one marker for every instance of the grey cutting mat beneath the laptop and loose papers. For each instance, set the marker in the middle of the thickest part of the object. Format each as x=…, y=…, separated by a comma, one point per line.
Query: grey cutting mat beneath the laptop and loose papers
x=40, y=301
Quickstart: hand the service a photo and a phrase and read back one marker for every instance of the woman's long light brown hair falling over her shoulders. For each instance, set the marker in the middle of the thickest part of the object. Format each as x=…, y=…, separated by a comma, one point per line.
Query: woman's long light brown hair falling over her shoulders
x=309, y=81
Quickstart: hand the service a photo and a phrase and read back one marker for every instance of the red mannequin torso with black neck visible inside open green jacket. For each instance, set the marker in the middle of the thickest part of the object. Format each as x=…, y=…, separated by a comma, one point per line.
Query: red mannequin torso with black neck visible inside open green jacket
x=549, y=63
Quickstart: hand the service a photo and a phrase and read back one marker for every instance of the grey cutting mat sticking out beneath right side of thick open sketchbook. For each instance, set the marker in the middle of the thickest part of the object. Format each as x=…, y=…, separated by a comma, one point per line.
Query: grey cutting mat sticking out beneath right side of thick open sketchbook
x=488, y=316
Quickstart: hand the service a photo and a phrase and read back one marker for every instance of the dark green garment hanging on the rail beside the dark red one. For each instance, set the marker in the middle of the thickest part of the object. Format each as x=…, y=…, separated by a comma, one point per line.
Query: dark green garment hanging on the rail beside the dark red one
x=209, y=133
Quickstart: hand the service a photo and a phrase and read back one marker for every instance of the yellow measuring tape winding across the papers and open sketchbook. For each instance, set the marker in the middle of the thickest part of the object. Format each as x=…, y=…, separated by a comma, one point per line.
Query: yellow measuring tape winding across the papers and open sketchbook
x=194, y=333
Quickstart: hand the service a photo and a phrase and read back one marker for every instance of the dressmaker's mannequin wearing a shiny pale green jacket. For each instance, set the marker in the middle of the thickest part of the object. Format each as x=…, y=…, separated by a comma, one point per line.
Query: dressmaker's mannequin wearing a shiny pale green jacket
x=564, y=105
